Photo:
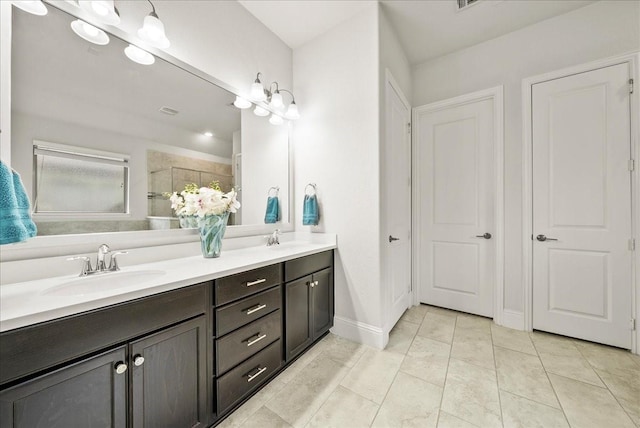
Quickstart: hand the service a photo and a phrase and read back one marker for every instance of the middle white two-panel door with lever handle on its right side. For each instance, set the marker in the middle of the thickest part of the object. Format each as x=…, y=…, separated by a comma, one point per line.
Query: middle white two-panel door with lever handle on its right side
x=456, y=170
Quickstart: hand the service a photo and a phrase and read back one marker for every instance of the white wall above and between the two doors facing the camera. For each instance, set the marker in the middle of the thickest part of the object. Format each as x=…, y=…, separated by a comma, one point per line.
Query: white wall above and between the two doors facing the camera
x=596, y=31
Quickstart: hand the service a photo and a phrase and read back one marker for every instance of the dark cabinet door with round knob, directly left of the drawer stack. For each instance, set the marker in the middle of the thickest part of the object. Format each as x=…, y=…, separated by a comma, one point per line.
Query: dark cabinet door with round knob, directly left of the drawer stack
x=169, y=377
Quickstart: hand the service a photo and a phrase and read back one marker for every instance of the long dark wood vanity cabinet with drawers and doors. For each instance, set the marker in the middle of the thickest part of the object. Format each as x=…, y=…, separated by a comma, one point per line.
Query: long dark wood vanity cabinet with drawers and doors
x=185, y=357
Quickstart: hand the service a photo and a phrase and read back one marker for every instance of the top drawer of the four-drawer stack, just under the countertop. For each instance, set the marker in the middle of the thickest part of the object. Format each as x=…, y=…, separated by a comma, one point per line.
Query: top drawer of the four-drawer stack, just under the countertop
x=244, y=284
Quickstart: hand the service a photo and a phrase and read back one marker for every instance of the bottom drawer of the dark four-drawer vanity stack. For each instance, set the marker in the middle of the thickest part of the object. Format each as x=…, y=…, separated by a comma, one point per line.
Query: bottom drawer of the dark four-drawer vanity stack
x=248, y=376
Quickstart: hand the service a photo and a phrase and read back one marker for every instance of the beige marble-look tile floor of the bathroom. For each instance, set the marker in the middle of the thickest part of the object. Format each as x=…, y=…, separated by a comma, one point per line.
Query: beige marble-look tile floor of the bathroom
x=448, y=369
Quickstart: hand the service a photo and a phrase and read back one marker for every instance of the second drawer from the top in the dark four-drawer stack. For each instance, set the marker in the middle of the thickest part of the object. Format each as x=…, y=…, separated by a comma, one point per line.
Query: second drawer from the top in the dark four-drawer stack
x=235, y=315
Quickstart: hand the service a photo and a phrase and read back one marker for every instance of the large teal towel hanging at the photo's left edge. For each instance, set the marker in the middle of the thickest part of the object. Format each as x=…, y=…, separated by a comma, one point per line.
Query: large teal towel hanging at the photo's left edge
x=15, y=210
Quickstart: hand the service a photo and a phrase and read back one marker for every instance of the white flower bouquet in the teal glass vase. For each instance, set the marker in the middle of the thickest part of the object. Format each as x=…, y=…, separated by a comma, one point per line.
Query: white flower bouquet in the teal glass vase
x=203, y=201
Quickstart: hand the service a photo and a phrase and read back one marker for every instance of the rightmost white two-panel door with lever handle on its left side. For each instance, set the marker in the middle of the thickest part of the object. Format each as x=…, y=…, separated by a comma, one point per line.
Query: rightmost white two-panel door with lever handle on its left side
x=582, y=206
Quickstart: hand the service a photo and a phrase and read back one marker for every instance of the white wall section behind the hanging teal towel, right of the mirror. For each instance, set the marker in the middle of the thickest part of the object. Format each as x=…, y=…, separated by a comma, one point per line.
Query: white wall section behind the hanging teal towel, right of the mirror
x=336, y=83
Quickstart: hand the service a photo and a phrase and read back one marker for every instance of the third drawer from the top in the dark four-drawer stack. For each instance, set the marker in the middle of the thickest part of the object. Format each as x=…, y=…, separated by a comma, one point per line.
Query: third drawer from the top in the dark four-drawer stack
x=246, y=341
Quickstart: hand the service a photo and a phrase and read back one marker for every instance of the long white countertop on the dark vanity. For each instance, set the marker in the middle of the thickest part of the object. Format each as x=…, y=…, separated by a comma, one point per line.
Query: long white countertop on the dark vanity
x=30, y=302
